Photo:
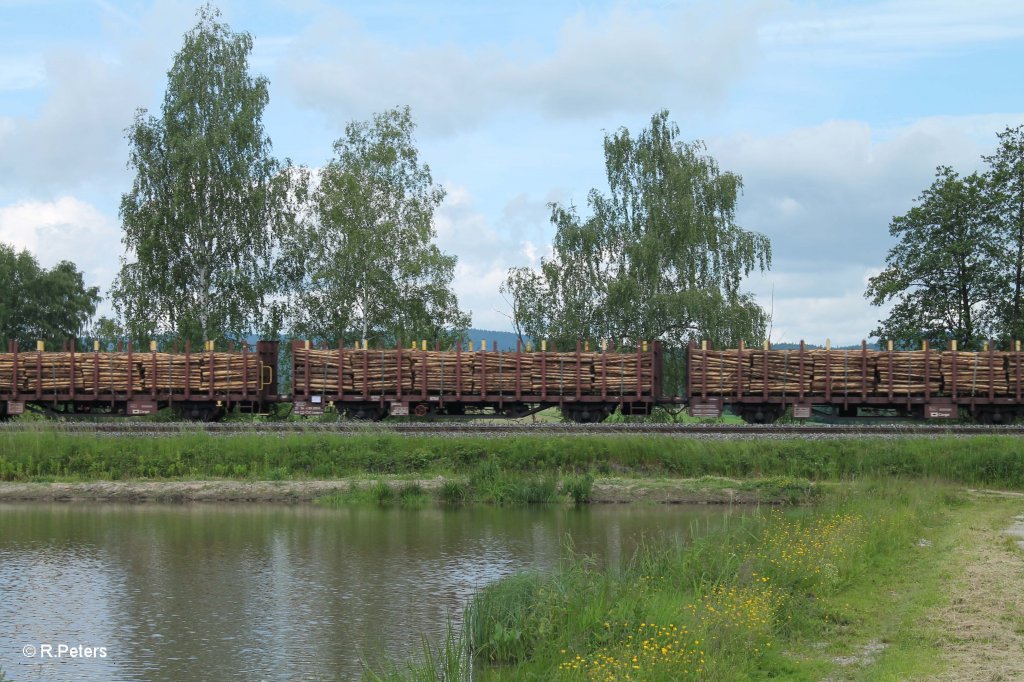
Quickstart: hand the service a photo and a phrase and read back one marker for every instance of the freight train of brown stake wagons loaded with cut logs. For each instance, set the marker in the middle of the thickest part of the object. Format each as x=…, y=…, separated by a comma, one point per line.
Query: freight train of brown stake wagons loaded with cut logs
x=760, y=386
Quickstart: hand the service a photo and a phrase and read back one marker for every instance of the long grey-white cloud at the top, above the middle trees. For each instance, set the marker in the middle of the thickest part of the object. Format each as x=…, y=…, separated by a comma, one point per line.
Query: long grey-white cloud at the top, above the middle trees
x=616, y=62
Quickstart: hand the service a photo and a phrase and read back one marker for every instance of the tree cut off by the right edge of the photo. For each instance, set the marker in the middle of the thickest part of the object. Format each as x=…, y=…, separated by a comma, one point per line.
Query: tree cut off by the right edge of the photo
x=1006, y=194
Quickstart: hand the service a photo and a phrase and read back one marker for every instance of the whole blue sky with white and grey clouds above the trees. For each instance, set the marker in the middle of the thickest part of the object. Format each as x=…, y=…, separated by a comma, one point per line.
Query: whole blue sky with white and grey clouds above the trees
x=835, y=114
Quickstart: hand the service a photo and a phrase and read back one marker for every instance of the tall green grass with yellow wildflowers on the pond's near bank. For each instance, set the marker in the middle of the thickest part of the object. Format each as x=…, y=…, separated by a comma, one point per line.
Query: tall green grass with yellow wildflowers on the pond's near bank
x=722, y=608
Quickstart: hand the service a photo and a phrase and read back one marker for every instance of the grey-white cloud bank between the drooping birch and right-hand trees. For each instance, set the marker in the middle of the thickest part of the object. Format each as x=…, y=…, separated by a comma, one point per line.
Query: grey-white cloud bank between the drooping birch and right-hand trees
x=826, y=195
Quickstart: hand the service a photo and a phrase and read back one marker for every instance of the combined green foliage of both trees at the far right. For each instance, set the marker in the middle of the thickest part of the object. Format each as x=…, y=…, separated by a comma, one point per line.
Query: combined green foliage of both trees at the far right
x=958, y=272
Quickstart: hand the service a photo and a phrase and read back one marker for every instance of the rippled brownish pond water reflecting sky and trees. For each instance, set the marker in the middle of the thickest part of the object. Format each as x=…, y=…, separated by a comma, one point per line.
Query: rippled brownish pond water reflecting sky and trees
x=277, y=593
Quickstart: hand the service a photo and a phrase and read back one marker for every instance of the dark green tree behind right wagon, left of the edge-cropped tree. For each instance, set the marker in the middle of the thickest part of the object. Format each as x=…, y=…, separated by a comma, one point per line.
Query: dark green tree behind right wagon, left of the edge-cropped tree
x=945, y=272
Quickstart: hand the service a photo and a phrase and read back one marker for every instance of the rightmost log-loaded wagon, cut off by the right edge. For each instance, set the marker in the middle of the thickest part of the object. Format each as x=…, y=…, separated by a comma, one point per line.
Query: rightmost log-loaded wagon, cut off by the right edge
x=762, y=385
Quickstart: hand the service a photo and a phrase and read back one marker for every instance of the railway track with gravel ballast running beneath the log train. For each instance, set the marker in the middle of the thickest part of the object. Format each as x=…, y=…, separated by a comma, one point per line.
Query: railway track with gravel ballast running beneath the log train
x=486, y=430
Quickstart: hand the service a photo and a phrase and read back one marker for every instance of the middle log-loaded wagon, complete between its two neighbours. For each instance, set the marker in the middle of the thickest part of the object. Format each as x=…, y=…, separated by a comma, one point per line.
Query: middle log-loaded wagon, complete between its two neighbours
x=587, y=386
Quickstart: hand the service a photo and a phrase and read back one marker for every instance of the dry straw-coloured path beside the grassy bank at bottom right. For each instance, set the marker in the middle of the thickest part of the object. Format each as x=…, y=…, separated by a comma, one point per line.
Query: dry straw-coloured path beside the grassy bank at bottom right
x=984, y=624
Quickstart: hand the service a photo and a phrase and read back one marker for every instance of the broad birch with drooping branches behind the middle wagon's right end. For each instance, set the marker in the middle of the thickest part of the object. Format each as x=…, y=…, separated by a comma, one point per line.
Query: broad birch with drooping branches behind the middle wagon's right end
x=661, y=257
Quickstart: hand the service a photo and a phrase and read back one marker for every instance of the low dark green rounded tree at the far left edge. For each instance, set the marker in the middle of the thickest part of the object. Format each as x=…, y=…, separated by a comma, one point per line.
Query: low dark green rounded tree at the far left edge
x=53, y=306
